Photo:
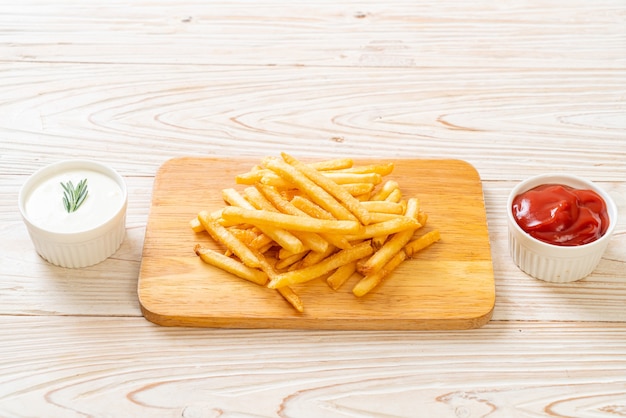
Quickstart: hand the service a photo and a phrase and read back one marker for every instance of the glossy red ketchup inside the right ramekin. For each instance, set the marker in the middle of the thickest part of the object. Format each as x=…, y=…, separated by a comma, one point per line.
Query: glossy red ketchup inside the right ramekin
x=561, y=215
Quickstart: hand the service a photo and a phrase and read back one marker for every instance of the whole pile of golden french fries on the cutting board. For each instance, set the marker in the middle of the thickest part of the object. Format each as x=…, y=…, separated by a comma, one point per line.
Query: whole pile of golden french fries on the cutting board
x=294, y=222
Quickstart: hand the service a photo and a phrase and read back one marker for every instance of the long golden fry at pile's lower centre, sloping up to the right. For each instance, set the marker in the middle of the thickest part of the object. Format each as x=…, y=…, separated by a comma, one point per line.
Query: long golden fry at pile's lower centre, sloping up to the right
x=325, y=266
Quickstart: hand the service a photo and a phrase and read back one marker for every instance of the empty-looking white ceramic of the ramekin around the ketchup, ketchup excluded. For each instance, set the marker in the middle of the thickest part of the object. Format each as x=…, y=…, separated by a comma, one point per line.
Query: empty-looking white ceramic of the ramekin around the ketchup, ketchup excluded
x=555, y=263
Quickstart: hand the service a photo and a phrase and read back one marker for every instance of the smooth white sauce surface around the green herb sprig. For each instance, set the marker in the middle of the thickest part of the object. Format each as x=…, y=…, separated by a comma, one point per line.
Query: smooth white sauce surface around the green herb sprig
x=44, y=204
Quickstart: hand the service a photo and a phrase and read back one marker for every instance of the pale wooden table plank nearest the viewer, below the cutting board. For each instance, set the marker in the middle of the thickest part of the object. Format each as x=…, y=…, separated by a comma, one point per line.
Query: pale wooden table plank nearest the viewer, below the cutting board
x=74, y=367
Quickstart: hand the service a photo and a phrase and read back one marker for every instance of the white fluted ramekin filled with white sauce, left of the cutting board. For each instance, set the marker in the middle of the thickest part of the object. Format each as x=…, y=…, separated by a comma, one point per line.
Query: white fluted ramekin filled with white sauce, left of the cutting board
x=83, y=238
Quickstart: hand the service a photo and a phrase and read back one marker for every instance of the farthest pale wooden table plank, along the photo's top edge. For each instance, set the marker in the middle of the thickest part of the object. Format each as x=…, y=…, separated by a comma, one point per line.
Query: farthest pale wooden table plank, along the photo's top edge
x=396, y=33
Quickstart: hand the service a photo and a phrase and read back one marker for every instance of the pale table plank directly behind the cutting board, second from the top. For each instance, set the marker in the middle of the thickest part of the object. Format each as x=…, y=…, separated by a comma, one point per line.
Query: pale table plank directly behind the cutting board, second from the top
x=508, y=123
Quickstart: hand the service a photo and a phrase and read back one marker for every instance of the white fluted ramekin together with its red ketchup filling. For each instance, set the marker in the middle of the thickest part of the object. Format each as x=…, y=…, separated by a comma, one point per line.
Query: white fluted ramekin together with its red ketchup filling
x=565, y=257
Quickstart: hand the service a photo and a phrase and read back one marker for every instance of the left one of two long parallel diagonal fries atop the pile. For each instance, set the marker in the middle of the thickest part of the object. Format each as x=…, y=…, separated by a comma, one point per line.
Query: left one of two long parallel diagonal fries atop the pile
x=316, y=193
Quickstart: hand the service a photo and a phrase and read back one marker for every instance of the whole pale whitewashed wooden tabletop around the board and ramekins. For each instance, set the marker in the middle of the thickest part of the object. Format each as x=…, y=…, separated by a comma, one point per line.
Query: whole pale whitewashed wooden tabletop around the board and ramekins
x=515, y=88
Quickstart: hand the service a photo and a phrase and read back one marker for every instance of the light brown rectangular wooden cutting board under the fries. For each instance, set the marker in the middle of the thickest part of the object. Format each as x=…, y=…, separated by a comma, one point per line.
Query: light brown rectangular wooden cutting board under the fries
x=449, y=285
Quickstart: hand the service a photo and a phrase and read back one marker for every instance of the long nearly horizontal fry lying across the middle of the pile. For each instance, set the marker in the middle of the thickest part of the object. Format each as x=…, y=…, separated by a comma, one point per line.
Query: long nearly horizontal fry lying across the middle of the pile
x=263, y=218
